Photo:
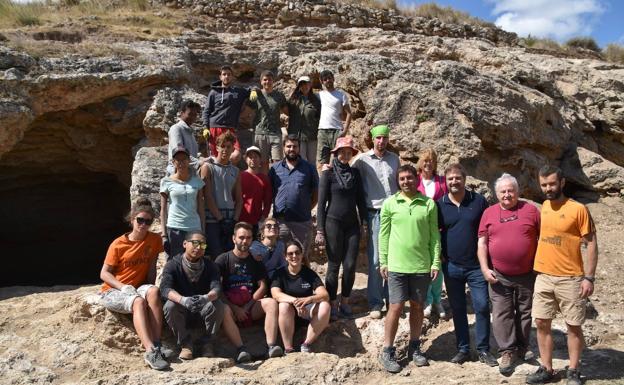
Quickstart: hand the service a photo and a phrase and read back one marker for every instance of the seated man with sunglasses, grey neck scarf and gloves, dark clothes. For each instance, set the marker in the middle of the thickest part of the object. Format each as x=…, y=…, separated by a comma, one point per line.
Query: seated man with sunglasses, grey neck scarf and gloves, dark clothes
x=191, y=286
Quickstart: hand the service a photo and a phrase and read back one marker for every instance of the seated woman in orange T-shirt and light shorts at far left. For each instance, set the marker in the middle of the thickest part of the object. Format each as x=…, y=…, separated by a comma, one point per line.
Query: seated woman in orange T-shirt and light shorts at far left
x=129, y=273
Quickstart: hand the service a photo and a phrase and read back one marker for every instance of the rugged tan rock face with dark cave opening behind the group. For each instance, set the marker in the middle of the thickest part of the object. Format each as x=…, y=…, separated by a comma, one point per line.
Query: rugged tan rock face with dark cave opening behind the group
x=475, y=96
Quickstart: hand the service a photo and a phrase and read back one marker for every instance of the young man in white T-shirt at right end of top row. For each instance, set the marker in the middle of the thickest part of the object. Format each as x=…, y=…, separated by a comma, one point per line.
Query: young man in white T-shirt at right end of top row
x=334, y=105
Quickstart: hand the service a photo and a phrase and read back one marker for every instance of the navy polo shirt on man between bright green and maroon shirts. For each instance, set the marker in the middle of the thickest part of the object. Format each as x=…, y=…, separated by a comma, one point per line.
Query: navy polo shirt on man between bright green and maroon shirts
x=459, y=227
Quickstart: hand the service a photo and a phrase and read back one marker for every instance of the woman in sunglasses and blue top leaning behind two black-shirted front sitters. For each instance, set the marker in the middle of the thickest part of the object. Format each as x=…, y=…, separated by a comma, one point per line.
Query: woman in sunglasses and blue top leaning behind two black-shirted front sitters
x=269, y=249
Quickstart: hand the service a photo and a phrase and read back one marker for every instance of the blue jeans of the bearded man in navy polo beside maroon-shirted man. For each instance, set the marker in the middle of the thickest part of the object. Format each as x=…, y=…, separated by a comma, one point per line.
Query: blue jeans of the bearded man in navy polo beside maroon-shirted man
x=456, y=278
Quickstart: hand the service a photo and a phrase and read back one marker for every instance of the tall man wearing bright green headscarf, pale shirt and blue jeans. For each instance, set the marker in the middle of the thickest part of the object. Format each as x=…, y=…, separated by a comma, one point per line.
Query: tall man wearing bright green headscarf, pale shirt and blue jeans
x=378, y=170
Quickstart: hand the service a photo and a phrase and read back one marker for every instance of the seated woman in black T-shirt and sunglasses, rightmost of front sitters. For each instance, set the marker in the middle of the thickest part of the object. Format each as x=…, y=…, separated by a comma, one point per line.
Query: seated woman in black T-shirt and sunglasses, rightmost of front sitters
x=302, y=297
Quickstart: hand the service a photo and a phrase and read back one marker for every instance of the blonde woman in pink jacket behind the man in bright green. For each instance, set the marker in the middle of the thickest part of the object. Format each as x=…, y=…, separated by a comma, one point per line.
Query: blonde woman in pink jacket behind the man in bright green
x=433, y=186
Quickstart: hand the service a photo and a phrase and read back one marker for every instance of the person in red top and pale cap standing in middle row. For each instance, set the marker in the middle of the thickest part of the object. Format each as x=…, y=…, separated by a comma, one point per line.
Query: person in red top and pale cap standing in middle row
x=256, y=189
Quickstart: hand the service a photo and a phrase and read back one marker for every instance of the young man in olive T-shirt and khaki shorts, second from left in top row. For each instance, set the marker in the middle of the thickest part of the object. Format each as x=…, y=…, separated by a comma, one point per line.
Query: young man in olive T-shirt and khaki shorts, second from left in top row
x=268, y=104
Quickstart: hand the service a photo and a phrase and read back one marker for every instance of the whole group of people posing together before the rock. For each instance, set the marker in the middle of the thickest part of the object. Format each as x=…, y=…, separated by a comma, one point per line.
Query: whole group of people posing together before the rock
x=422, y=229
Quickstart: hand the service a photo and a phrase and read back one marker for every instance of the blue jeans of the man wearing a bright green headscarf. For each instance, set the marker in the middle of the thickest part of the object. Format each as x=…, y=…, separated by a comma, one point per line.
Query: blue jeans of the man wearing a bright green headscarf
x=377, y=288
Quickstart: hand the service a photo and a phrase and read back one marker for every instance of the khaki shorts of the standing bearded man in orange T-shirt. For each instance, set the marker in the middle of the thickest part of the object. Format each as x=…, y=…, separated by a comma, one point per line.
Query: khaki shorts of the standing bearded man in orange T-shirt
x=554, y=294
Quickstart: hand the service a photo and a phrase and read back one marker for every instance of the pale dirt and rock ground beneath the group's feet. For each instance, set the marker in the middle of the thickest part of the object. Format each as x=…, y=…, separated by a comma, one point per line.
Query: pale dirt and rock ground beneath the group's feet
x=59, y=335
